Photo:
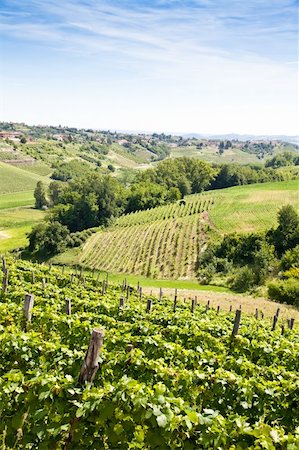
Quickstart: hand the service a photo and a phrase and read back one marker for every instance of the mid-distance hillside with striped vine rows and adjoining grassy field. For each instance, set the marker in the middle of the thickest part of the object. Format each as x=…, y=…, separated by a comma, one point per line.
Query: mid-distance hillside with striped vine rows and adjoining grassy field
x=164, y=242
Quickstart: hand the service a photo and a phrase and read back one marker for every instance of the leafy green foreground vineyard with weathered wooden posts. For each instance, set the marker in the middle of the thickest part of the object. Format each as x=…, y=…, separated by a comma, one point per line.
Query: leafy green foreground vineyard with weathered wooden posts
x=157, y=373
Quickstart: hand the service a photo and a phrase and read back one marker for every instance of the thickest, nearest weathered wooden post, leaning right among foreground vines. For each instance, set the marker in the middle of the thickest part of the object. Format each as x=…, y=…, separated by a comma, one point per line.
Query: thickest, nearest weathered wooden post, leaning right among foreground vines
x=91, y=362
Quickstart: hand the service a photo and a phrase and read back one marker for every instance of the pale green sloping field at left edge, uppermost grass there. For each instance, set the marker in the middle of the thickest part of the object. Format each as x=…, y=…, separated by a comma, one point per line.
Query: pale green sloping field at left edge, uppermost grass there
x=14, y=179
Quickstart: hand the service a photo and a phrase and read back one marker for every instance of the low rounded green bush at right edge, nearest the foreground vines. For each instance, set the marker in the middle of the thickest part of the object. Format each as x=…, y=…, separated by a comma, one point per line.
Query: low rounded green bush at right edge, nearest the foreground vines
x=285, y=291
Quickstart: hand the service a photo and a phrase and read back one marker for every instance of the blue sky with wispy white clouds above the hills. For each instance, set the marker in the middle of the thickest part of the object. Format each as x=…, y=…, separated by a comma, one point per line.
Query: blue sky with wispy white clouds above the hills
x=194, y=66
